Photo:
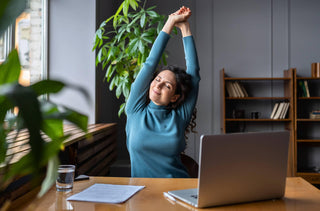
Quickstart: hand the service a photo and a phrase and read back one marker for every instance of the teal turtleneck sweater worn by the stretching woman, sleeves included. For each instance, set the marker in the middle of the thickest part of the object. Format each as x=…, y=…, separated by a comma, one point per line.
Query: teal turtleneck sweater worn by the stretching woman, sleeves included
x=155, y=134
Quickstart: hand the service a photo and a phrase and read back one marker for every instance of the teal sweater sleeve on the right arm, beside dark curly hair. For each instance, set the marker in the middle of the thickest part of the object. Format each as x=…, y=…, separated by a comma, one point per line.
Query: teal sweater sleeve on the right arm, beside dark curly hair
x=193, y=68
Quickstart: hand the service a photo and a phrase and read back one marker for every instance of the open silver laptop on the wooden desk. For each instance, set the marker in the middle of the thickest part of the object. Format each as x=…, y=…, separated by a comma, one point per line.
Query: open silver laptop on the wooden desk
x=239, y=167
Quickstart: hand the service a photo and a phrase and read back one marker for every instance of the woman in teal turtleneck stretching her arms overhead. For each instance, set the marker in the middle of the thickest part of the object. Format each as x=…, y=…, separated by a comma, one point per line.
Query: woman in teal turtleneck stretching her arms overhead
x=155, y=126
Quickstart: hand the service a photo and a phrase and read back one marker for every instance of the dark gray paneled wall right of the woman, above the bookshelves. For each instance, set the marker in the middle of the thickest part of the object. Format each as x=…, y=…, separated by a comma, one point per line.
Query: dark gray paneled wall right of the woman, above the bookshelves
x=249, y=38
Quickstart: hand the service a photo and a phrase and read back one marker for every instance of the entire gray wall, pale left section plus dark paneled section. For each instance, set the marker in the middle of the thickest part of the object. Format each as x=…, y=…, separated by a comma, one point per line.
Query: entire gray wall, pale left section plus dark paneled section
x=246, y=37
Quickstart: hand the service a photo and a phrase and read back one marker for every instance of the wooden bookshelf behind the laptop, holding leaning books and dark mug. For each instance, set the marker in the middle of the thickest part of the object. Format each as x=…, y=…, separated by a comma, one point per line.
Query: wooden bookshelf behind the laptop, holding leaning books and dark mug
x=263, y=93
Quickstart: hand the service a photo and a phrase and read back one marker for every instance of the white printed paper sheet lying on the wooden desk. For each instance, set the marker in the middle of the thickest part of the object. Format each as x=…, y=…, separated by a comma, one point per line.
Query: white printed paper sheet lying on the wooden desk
x=106, y=193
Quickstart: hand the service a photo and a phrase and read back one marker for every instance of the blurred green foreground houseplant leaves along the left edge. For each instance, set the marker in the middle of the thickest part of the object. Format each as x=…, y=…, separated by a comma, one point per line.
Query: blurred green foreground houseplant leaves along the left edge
x=35, y=114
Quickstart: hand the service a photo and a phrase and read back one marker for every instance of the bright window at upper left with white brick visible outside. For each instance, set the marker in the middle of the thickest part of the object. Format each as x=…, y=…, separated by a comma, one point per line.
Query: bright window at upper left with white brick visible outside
x=29, y=36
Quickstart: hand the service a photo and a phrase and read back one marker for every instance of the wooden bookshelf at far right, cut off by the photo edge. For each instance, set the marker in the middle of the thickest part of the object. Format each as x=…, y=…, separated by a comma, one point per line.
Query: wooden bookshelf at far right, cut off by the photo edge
x=307, y=133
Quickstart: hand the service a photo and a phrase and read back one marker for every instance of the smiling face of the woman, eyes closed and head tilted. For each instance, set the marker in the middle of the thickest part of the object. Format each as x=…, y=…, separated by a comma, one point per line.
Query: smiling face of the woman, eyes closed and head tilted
x=162, y=88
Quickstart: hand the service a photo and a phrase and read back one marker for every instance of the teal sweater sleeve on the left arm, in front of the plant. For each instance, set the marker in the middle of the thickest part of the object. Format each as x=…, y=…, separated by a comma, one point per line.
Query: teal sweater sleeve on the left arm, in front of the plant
x=139, y=88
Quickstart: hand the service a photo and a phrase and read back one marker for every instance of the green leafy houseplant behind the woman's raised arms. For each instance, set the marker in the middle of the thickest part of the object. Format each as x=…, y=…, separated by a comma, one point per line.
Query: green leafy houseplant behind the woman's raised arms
x=123, y=47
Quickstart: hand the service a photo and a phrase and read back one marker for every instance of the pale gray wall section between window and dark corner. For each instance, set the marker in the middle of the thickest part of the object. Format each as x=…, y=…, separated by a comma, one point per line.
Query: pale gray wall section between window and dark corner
x=71, y=33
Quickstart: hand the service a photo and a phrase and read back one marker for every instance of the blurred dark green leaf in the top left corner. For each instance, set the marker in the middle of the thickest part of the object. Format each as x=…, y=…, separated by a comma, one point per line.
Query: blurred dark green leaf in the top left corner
x=9, y=11
